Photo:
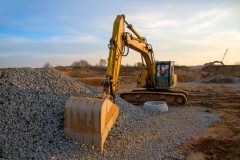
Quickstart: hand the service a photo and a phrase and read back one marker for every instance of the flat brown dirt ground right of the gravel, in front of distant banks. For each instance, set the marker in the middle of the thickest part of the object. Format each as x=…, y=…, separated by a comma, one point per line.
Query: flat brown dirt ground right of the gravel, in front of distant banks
x=221, y=140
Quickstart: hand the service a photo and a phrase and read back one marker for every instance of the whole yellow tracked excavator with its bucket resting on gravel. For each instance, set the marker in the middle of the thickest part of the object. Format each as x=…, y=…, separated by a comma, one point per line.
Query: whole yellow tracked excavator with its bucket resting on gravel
x=89, y=120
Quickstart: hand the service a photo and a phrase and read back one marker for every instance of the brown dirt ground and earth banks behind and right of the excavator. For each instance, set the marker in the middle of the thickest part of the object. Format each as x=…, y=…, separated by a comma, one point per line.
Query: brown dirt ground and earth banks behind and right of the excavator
x=222, y=139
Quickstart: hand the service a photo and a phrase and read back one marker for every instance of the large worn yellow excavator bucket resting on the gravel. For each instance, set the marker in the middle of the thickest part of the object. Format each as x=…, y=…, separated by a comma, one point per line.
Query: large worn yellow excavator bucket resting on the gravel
x=89, y=120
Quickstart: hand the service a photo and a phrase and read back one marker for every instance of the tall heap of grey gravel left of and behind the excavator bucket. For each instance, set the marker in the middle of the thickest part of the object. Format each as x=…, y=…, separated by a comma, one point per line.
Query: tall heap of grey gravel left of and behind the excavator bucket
x=31, y=110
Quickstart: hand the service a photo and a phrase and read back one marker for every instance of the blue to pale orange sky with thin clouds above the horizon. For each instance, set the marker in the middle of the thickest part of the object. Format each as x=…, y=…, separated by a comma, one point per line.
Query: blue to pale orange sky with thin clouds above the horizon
x=190, y=32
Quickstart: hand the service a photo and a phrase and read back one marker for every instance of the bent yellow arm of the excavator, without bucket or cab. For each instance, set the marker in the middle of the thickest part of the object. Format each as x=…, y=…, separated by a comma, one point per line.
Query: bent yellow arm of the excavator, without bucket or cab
x=119, y=41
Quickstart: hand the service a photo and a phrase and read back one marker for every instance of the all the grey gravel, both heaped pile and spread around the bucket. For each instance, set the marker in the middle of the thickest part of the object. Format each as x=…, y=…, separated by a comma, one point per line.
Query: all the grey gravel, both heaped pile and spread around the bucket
x=31, y=125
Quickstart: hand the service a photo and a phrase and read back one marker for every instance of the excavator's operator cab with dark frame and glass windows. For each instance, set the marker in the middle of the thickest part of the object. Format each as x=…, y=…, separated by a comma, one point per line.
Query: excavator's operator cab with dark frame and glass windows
x=164, y=76
